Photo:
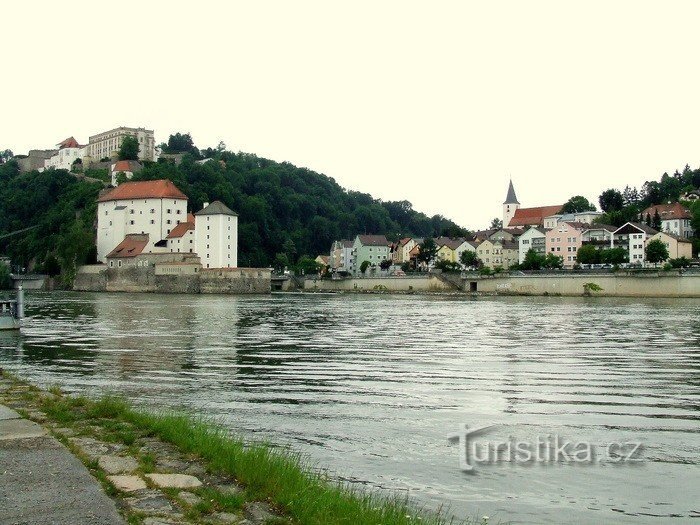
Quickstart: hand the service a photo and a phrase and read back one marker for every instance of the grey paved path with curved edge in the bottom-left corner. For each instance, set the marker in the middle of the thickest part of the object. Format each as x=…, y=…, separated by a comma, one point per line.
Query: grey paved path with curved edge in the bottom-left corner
x=42, y=482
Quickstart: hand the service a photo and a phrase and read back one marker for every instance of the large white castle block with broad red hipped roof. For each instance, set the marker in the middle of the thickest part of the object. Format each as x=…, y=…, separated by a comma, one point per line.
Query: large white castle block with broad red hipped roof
x=145, y=207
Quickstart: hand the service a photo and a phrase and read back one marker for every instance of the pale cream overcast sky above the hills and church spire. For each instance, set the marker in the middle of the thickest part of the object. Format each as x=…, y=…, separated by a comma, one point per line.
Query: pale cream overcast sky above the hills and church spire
x=437, y=103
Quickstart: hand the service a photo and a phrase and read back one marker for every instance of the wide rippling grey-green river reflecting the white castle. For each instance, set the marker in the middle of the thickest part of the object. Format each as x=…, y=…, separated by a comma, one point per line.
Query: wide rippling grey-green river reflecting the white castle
x=370, y=387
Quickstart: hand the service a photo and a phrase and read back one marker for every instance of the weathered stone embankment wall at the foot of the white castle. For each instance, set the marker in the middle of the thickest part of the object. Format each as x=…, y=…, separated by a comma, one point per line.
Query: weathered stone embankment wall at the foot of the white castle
x=99, y=278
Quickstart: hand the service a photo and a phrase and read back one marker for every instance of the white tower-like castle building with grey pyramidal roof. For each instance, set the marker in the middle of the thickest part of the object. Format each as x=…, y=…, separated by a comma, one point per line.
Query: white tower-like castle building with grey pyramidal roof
x=216, y=236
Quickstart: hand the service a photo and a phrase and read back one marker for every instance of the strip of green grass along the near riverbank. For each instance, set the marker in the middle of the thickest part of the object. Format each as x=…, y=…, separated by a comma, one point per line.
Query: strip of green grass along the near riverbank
x=295, y=488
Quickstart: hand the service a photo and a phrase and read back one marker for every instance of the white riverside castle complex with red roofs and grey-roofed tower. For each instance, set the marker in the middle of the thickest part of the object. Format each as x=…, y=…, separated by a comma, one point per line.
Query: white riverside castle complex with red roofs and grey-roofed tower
x=156, y=212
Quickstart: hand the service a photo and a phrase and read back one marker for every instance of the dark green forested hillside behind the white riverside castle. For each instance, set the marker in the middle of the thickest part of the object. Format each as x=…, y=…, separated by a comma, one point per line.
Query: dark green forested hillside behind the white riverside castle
x=276, y=202
